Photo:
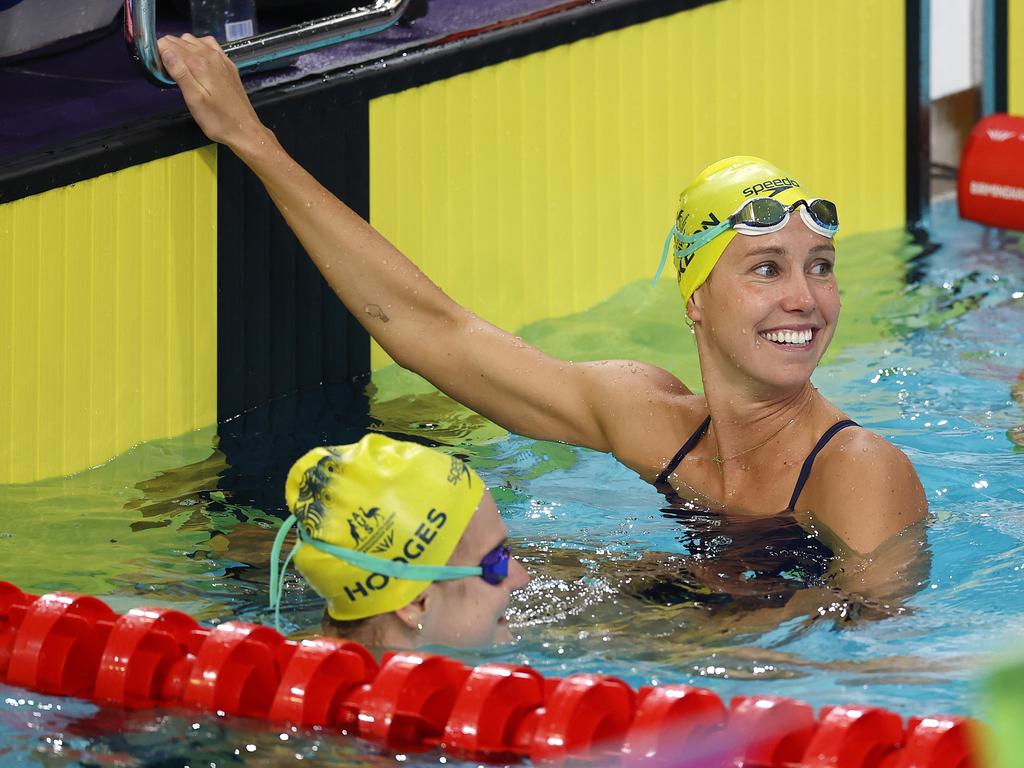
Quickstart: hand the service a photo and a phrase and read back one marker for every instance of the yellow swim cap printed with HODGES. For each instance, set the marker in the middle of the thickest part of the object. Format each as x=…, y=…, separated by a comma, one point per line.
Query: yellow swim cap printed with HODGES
x=383, y=499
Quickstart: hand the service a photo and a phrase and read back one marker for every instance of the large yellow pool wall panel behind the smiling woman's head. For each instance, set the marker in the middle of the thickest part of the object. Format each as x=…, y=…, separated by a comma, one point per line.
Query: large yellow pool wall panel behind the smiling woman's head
x=539, y=187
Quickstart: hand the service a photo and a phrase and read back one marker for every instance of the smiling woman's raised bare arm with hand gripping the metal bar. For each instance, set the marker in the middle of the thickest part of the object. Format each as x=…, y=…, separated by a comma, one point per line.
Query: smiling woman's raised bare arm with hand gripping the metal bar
x=412, y=319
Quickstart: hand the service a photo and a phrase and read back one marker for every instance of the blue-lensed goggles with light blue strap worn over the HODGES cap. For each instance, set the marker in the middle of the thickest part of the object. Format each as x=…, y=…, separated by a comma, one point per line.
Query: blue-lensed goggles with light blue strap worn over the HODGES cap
x=494, y=569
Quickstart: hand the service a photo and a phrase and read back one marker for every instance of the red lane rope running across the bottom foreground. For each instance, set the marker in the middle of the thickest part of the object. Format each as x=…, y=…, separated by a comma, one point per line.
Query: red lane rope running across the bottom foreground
x=76, y=646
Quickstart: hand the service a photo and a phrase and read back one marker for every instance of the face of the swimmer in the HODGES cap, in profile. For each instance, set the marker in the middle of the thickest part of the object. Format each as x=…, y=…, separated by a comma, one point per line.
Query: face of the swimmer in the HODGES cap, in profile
x=471, y=613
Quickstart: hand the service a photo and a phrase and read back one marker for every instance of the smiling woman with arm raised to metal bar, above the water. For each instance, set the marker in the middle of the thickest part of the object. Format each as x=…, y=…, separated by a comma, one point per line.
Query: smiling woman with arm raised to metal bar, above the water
x=754, y=254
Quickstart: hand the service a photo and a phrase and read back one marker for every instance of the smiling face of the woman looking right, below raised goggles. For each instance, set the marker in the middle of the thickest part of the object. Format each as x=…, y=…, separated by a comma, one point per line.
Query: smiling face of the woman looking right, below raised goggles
x=771, y=307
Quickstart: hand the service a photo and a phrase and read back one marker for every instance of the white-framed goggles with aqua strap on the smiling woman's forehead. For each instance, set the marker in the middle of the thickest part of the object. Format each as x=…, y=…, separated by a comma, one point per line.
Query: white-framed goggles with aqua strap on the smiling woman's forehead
x=756, y=217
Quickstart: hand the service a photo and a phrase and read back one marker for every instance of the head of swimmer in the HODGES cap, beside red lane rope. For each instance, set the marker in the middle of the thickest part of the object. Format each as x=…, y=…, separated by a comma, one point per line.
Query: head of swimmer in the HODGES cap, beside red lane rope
x=404, y=543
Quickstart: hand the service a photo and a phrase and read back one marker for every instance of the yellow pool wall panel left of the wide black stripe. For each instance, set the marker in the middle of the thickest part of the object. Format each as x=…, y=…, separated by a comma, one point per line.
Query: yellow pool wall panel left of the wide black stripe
x=110, y=316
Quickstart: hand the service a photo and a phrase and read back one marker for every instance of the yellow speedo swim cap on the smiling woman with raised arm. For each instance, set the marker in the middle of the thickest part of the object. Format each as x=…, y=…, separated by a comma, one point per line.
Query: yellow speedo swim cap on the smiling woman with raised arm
x=714, y=196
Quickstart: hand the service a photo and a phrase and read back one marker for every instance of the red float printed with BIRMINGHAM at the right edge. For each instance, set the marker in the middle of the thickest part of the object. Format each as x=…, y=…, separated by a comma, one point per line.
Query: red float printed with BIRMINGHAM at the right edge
x=991, y=184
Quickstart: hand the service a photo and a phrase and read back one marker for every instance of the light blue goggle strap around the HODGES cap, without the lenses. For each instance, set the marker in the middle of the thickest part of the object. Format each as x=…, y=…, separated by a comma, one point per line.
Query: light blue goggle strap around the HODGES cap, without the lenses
x=371, y=564
